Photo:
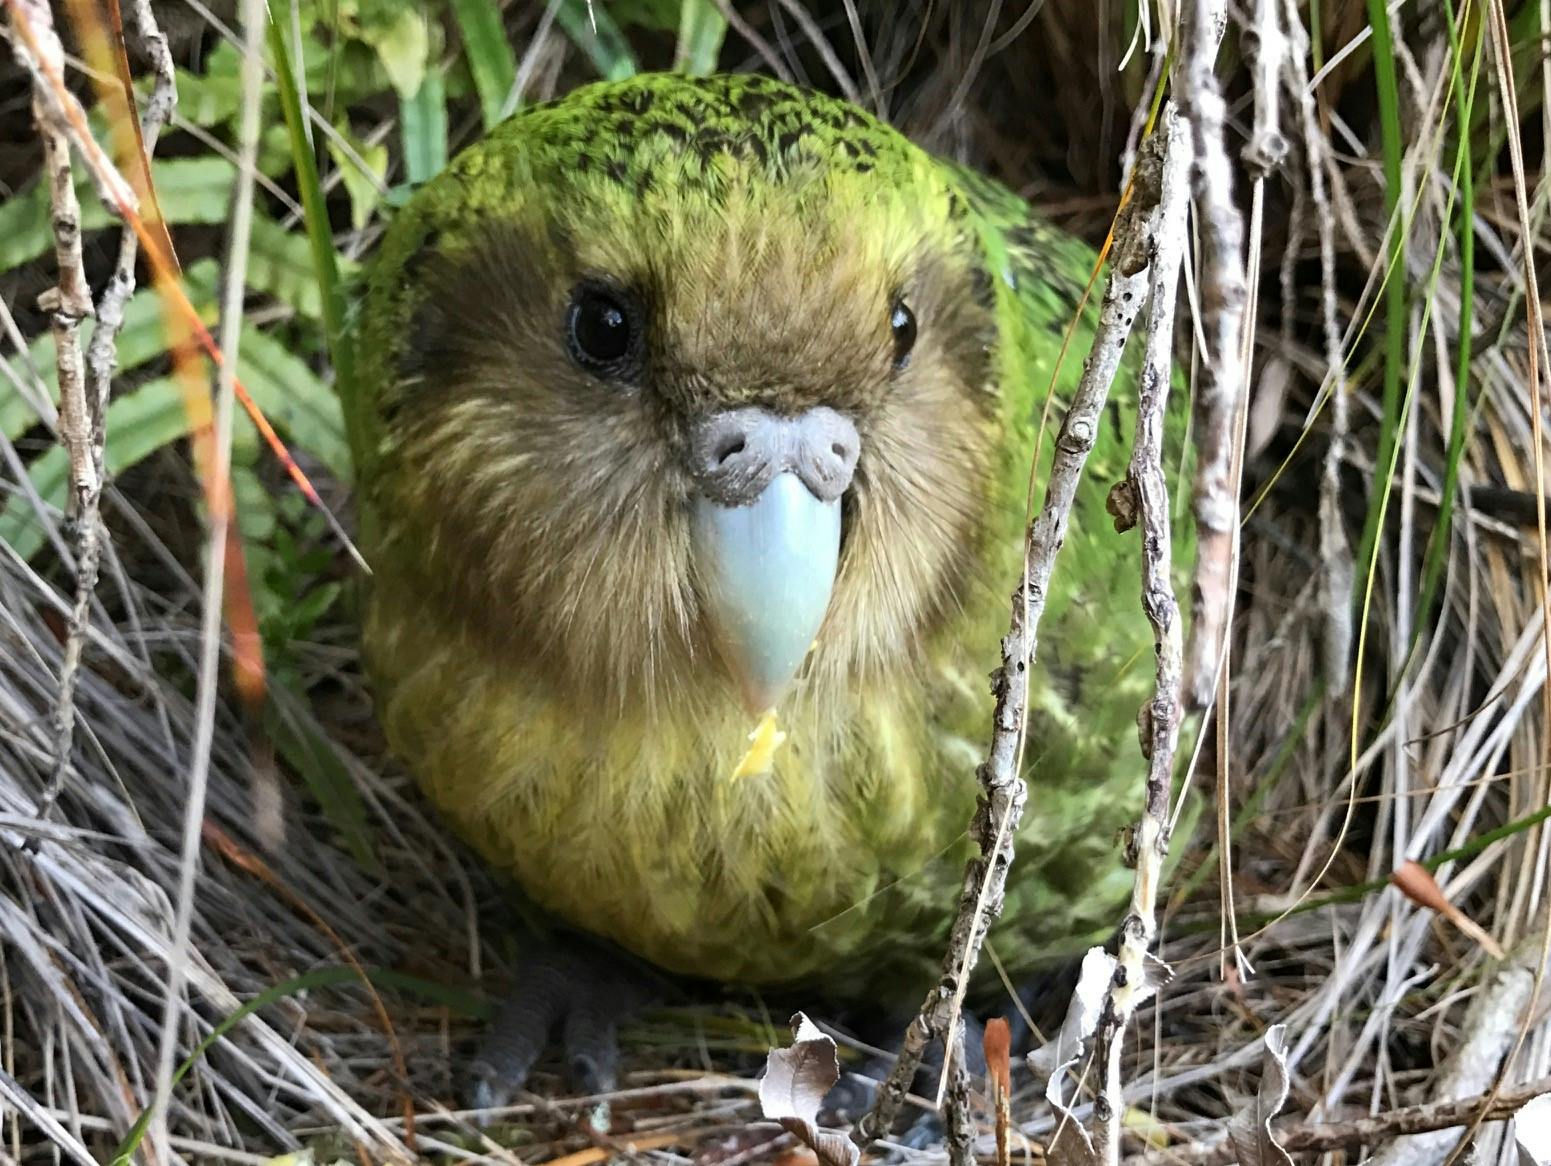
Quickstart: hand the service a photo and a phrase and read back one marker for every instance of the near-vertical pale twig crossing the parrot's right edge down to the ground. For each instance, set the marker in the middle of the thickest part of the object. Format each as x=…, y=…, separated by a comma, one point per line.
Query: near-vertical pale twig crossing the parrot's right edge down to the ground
x=1159, y=719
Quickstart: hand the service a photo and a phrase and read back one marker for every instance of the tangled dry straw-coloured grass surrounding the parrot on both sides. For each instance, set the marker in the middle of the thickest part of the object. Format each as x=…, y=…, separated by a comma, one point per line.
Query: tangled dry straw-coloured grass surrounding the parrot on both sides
x=1449, y=737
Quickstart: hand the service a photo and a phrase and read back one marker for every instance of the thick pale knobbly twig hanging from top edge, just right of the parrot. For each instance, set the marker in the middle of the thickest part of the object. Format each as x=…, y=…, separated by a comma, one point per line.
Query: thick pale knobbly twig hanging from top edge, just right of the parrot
x=1223, y=388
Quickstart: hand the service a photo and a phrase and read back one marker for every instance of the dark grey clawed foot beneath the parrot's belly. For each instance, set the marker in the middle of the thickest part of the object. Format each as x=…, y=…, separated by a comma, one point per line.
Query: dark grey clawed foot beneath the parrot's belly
x=567, y=987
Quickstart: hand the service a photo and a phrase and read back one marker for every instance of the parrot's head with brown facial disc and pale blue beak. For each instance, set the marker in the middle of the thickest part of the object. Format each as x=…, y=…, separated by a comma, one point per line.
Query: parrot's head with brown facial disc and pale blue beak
x=683, y=387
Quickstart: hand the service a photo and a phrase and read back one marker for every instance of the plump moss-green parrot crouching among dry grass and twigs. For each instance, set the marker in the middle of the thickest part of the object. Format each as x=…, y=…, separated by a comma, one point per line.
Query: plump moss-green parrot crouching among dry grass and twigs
x=694, y=432
